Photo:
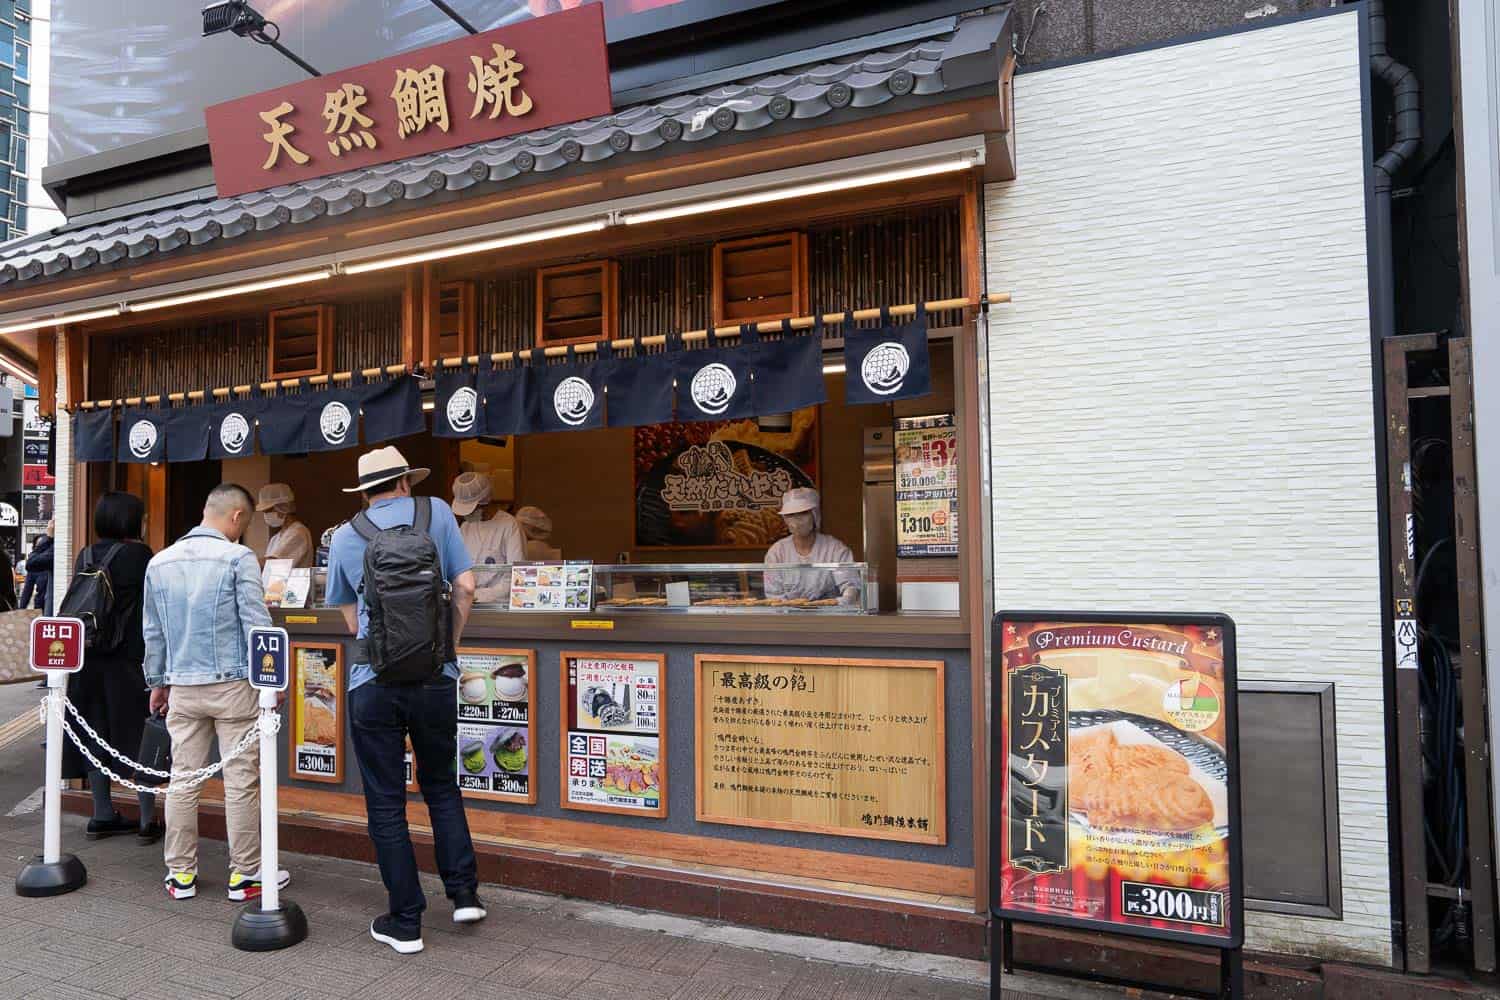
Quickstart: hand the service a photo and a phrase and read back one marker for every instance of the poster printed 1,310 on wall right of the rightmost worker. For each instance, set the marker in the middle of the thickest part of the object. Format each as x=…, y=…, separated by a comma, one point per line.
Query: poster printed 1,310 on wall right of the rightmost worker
x=926, y=488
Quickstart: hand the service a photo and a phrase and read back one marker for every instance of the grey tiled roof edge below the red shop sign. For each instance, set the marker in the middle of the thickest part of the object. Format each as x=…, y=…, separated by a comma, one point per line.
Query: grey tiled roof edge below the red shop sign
x=913, y=71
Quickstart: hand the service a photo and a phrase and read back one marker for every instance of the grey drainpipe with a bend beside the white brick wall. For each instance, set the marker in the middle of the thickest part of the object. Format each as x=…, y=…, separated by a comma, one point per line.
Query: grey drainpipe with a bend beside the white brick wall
x=1408, y=95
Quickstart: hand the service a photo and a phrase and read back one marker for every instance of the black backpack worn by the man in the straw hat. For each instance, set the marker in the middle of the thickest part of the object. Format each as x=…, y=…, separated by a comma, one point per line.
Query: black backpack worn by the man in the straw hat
x=409, y=602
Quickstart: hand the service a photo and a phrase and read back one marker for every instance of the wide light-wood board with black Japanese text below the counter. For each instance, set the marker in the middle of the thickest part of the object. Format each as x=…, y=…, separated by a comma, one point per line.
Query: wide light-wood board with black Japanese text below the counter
x=848, y=747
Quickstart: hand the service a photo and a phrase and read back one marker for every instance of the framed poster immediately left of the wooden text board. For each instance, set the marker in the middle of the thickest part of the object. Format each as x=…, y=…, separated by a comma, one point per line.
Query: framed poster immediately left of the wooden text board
x=614, y=734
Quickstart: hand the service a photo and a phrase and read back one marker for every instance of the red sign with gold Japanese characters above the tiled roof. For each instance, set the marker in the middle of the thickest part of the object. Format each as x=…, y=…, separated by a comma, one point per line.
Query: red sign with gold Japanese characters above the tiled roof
x=515, y=79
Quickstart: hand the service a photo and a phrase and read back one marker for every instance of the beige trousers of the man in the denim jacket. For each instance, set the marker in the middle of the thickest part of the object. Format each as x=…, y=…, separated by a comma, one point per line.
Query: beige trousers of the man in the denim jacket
x=196, y=714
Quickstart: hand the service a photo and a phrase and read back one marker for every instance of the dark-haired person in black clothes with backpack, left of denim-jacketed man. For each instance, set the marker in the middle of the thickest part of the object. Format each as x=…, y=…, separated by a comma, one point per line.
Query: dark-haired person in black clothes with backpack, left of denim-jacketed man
x=110, y=690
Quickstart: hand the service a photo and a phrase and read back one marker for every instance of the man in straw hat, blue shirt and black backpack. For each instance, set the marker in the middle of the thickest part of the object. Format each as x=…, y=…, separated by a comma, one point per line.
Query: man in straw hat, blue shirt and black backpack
x=403, y=578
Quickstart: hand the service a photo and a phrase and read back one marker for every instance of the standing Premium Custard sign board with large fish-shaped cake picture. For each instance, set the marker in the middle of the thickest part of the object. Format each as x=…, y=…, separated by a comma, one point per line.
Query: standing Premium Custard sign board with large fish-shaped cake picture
x=1118, y=804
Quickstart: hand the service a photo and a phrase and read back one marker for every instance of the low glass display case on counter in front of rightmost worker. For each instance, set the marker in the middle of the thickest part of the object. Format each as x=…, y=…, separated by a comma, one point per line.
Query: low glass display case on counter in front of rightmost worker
x=733, y=587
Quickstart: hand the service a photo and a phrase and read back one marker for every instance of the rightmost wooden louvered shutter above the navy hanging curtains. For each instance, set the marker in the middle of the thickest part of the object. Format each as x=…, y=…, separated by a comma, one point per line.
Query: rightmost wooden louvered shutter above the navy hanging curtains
x=758, y=280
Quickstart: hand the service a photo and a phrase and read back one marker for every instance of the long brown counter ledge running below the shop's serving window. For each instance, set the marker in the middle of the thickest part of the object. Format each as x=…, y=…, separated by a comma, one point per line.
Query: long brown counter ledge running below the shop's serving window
x=913, y=630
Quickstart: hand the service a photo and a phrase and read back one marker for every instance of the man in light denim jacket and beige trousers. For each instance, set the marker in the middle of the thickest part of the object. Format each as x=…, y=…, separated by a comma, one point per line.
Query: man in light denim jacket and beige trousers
x=203, y=596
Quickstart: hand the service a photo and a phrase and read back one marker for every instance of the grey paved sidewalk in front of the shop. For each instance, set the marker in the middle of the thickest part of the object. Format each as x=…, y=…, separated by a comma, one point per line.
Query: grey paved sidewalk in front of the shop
x=122, y=938
